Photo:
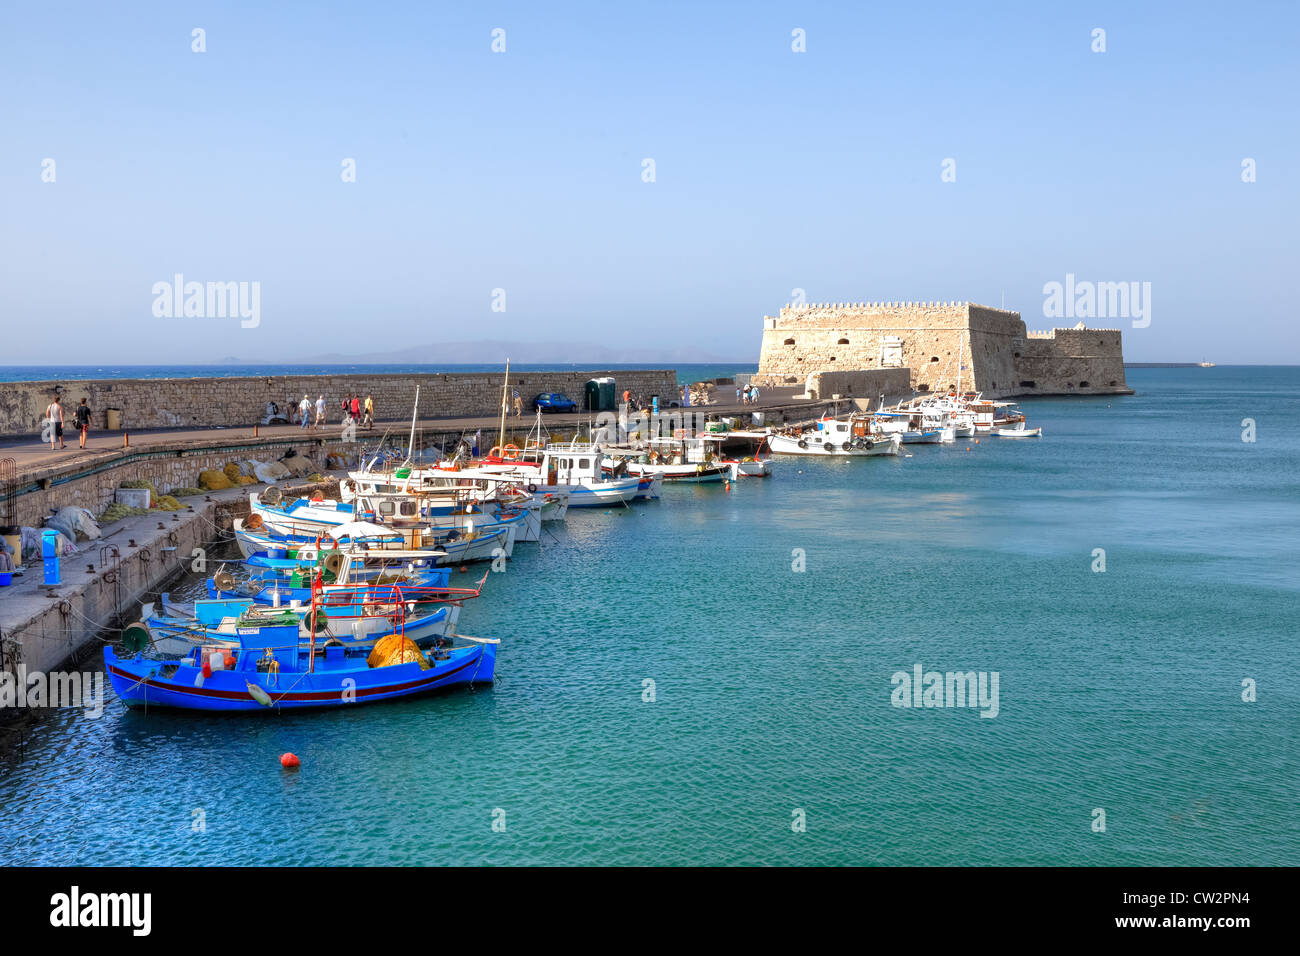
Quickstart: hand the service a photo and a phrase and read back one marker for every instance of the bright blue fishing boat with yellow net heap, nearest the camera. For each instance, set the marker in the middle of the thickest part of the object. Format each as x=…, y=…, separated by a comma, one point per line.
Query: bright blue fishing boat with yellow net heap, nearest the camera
x=268, y=671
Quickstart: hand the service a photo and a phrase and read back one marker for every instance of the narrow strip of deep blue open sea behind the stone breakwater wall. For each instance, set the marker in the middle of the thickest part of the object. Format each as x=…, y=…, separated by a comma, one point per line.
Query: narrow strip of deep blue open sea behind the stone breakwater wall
x=686, y=373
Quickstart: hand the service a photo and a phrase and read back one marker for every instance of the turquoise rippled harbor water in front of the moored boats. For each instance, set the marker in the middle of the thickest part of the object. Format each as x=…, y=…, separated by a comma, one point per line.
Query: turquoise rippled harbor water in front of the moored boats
x=1120, y=690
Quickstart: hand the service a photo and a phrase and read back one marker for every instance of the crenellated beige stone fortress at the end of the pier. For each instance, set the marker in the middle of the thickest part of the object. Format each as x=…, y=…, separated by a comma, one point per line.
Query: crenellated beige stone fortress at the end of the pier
x=840, y=348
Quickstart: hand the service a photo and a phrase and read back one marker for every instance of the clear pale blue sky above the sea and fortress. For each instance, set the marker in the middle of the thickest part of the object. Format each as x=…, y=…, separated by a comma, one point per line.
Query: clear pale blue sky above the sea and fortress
x=523, y=170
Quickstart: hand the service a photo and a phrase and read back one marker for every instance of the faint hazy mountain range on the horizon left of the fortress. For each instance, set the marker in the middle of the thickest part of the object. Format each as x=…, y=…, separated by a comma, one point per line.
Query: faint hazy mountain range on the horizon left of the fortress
x=526, y=353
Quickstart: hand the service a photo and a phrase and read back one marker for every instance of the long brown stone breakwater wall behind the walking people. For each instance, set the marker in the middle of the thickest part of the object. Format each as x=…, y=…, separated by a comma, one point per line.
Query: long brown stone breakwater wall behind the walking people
x=242, y=401
